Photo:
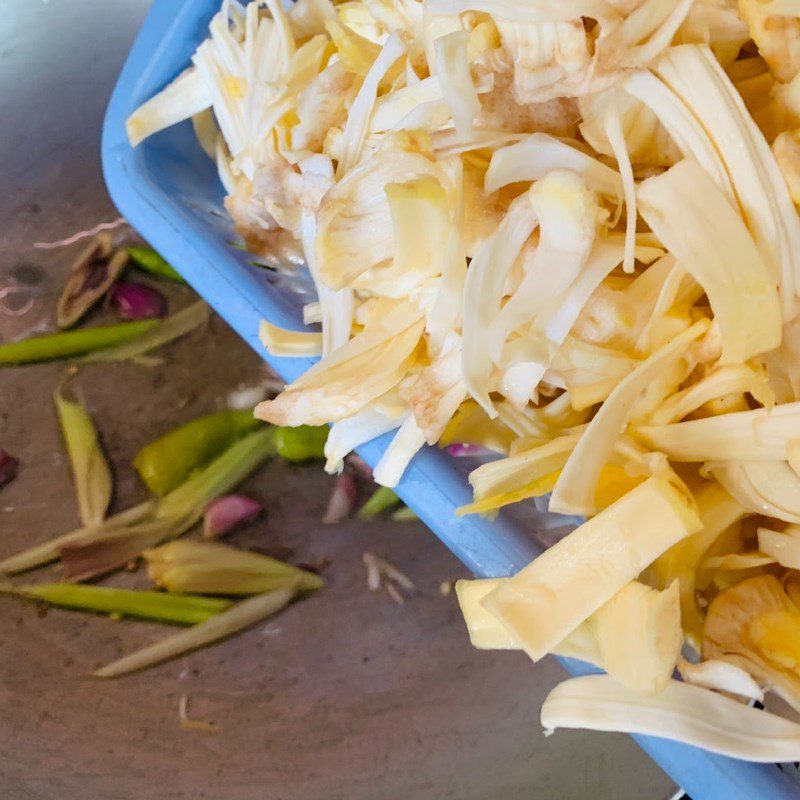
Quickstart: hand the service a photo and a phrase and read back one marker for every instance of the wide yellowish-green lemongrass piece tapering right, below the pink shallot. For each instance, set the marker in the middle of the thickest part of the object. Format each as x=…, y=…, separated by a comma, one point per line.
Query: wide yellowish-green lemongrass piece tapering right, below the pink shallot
x=213, y=568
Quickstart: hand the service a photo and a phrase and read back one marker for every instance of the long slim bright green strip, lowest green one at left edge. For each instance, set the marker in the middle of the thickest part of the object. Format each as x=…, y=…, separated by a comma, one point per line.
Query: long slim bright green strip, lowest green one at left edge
x=182, y=609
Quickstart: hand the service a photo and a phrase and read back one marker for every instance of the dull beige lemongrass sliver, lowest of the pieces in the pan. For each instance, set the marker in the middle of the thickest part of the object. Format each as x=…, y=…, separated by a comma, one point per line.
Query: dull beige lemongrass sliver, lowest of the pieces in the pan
x=240, y=616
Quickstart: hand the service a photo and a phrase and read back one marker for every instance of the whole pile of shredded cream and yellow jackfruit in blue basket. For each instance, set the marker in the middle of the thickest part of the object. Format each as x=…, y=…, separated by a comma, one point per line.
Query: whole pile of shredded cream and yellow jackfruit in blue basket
x=563, y=231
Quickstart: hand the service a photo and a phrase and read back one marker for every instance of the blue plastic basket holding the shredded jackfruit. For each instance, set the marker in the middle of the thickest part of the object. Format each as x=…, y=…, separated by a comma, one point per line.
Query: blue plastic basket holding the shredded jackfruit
x=169, y=191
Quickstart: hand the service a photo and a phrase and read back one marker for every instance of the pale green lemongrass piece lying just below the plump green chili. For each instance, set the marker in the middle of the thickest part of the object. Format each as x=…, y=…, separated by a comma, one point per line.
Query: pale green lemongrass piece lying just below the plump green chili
x=224, y=473
